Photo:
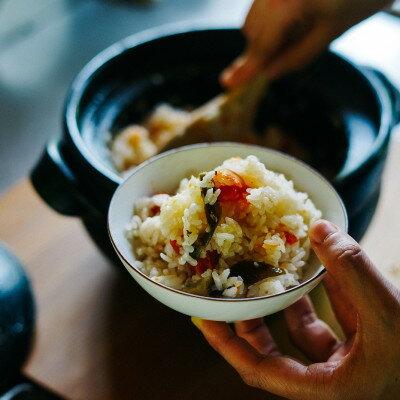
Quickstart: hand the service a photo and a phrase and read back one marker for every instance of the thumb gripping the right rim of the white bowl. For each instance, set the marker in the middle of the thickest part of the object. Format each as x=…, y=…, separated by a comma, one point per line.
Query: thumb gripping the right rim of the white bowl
x=351, y=268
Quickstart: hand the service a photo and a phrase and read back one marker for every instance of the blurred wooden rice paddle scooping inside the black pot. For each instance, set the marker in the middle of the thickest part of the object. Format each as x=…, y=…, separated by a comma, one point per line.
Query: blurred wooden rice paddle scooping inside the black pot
x=227, y=117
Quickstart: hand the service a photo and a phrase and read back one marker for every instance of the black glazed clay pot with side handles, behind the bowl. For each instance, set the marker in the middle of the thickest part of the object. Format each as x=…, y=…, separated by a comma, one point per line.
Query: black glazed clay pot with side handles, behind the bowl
x=341, y=113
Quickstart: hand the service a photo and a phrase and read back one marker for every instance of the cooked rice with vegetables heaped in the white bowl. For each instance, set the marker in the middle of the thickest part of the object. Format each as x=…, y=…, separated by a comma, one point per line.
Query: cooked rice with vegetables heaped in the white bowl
x=271, y=228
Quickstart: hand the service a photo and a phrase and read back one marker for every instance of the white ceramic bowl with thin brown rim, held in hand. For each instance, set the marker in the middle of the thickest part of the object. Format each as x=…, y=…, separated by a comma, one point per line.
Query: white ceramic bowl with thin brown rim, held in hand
x=164, y=172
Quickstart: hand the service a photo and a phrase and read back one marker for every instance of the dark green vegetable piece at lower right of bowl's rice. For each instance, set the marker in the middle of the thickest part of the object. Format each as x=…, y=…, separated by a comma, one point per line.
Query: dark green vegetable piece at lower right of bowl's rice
x=253, y=271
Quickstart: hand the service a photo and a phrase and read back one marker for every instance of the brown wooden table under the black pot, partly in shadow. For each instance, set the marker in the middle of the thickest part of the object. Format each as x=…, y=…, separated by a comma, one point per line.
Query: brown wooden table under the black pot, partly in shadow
x=99, y=336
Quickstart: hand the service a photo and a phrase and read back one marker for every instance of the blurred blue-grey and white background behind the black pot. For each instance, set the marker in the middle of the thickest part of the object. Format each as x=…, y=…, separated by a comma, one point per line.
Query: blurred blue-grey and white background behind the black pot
x=45, y=43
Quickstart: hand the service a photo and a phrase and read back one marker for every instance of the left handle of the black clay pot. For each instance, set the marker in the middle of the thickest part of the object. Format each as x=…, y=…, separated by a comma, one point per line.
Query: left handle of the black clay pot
x=57, y=185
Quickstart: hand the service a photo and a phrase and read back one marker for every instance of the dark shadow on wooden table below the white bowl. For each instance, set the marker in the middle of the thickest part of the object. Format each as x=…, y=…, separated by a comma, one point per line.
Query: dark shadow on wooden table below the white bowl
x=155, y=353
